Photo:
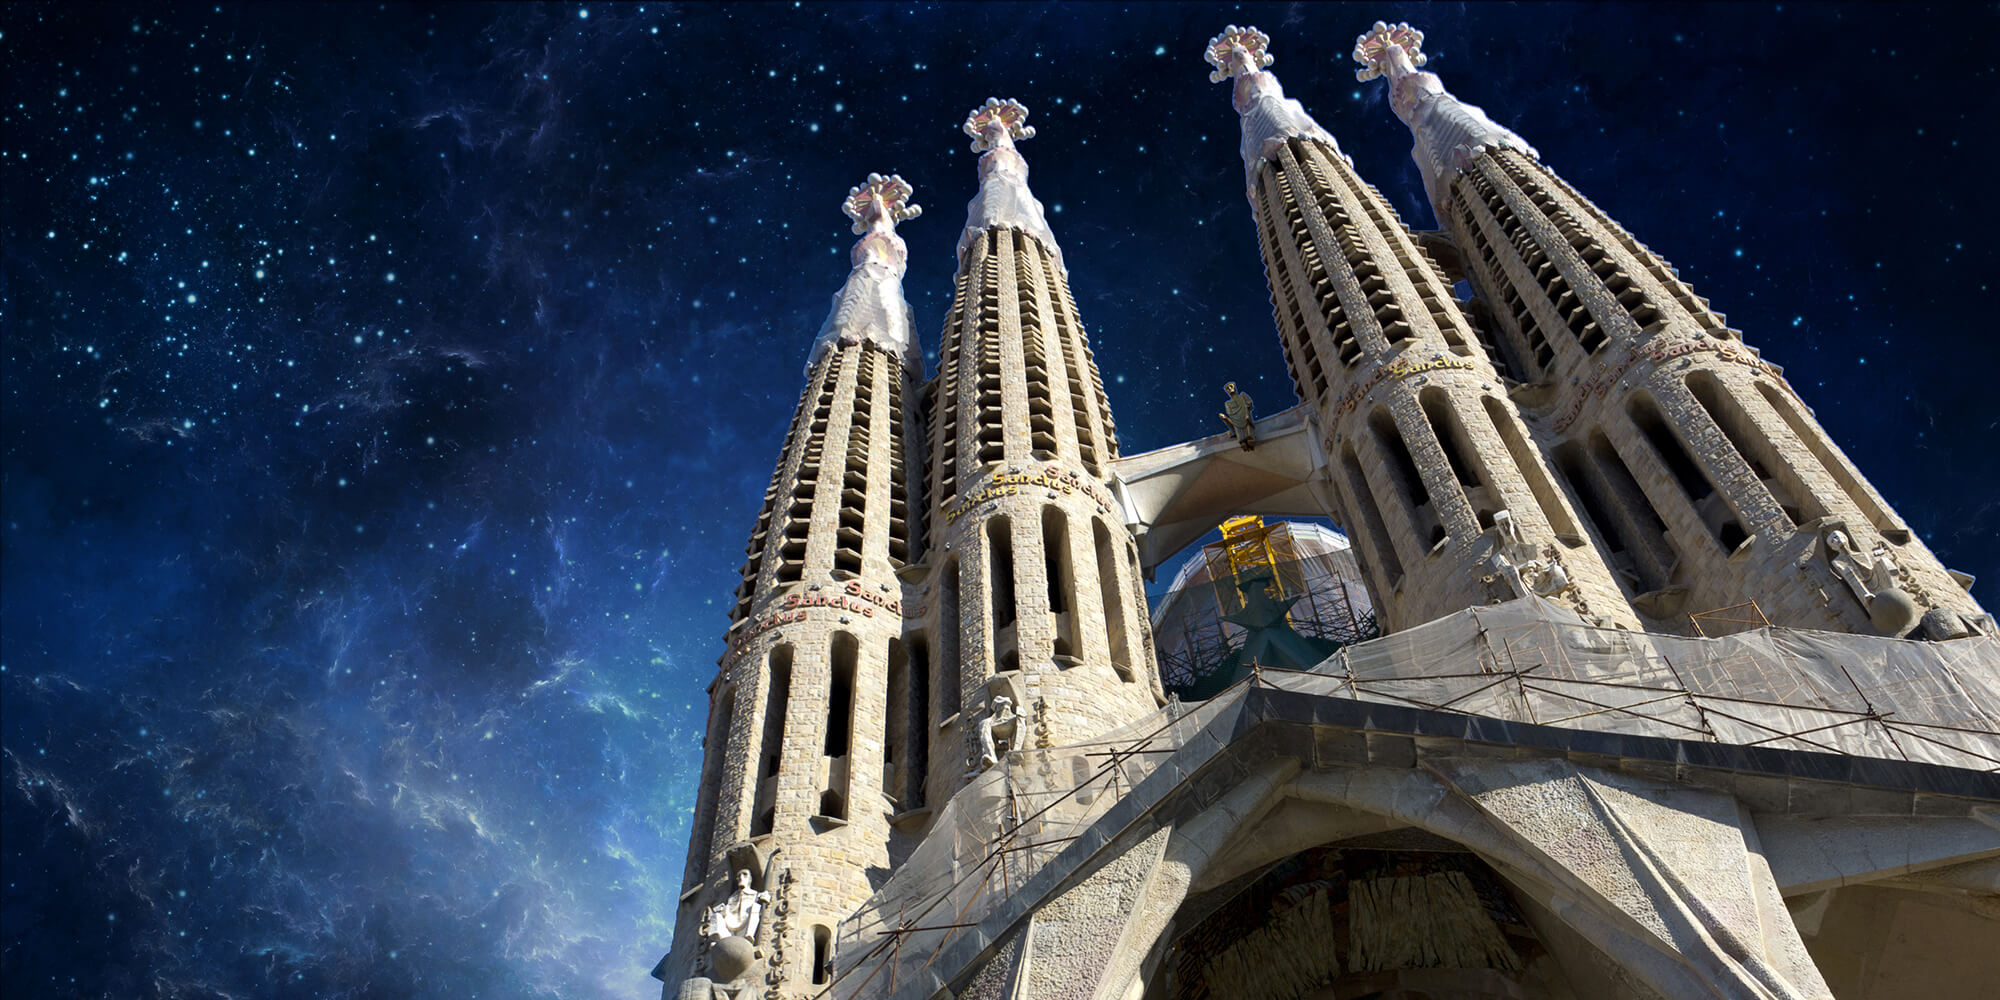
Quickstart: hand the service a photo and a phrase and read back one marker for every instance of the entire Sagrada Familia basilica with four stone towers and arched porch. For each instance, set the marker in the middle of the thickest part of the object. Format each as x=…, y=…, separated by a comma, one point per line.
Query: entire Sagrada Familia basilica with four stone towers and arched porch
x=1665, y=701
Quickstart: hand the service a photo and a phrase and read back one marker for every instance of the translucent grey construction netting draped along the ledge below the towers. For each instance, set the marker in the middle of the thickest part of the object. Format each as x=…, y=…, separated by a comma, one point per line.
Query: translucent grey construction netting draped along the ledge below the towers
x=1527, y=661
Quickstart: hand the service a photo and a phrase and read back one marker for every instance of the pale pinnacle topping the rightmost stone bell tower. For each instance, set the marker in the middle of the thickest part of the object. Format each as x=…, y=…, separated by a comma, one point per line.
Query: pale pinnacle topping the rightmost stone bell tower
x=1449, y=133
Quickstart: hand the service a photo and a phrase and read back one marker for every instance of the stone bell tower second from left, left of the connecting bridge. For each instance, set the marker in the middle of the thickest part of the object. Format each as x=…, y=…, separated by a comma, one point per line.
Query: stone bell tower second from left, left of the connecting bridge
x=1037, y=591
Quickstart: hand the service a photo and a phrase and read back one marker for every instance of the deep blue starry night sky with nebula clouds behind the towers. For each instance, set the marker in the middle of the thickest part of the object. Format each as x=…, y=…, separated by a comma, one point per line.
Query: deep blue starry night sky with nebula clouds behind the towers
x=389, y=393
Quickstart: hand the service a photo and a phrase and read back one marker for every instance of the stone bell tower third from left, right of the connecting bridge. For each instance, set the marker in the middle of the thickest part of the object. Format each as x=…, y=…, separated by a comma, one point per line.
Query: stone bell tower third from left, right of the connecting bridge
x=1439, y=479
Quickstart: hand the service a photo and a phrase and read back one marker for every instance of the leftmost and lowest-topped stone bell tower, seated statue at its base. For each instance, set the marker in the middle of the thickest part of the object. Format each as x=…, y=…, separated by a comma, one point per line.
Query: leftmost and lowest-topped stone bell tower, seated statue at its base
x=809, y=713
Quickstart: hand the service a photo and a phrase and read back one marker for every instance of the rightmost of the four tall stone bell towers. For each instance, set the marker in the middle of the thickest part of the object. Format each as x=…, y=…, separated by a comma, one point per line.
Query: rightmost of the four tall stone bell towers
x=1697, y=465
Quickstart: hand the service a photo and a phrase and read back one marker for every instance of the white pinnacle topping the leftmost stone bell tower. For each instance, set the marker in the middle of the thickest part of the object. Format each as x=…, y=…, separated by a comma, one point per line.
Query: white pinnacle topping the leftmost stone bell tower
x=871, y=307
